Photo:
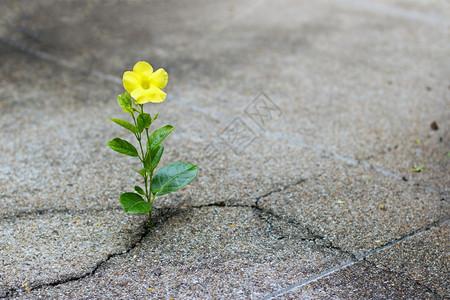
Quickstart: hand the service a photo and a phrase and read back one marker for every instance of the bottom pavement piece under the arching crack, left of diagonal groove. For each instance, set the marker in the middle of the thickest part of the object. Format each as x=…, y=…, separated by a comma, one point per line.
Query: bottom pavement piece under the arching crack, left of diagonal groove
x=209, y=252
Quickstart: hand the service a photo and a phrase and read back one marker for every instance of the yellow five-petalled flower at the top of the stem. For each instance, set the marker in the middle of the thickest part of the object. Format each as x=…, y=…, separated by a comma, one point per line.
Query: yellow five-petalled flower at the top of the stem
x=144, y=85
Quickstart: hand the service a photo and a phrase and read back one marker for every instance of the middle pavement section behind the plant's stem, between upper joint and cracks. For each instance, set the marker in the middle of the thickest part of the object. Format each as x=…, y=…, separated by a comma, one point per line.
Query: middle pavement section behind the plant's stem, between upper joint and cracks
x=66, y=132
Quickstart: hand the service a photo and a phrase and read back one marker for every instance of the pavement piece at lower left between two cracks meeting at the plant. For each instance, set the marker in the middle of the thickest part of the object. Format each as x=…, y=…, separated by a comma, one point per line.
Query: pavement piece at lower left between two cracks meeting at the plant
x=44, y=247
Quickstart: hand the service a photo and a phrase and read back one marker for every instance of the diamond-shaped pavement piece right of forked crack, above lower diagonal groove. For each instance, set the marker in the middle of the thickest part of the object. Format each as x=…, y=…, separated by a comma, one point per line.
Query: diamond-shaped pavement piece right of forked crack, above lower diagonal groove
x=356, y=210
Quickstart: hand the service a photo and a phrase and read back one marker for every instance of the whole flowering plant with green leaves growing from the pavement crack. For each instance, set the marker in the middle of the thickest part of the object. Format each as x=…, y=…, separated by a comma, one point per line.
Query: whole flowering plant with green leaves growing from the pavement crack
x=142, y=86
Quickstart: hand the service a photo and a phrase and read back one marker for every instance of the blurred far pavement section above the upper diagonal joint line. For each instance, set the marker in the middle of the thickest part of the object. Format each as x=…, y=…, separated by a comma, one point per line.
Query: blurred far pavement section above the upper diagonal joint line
x=394, y=90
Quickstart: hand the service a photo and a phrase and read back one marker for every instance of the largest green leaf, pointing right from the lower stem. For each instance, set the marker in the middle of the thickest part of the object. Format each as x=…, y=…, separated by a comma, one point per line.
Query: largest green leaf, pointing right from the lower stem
x=173, y=177
